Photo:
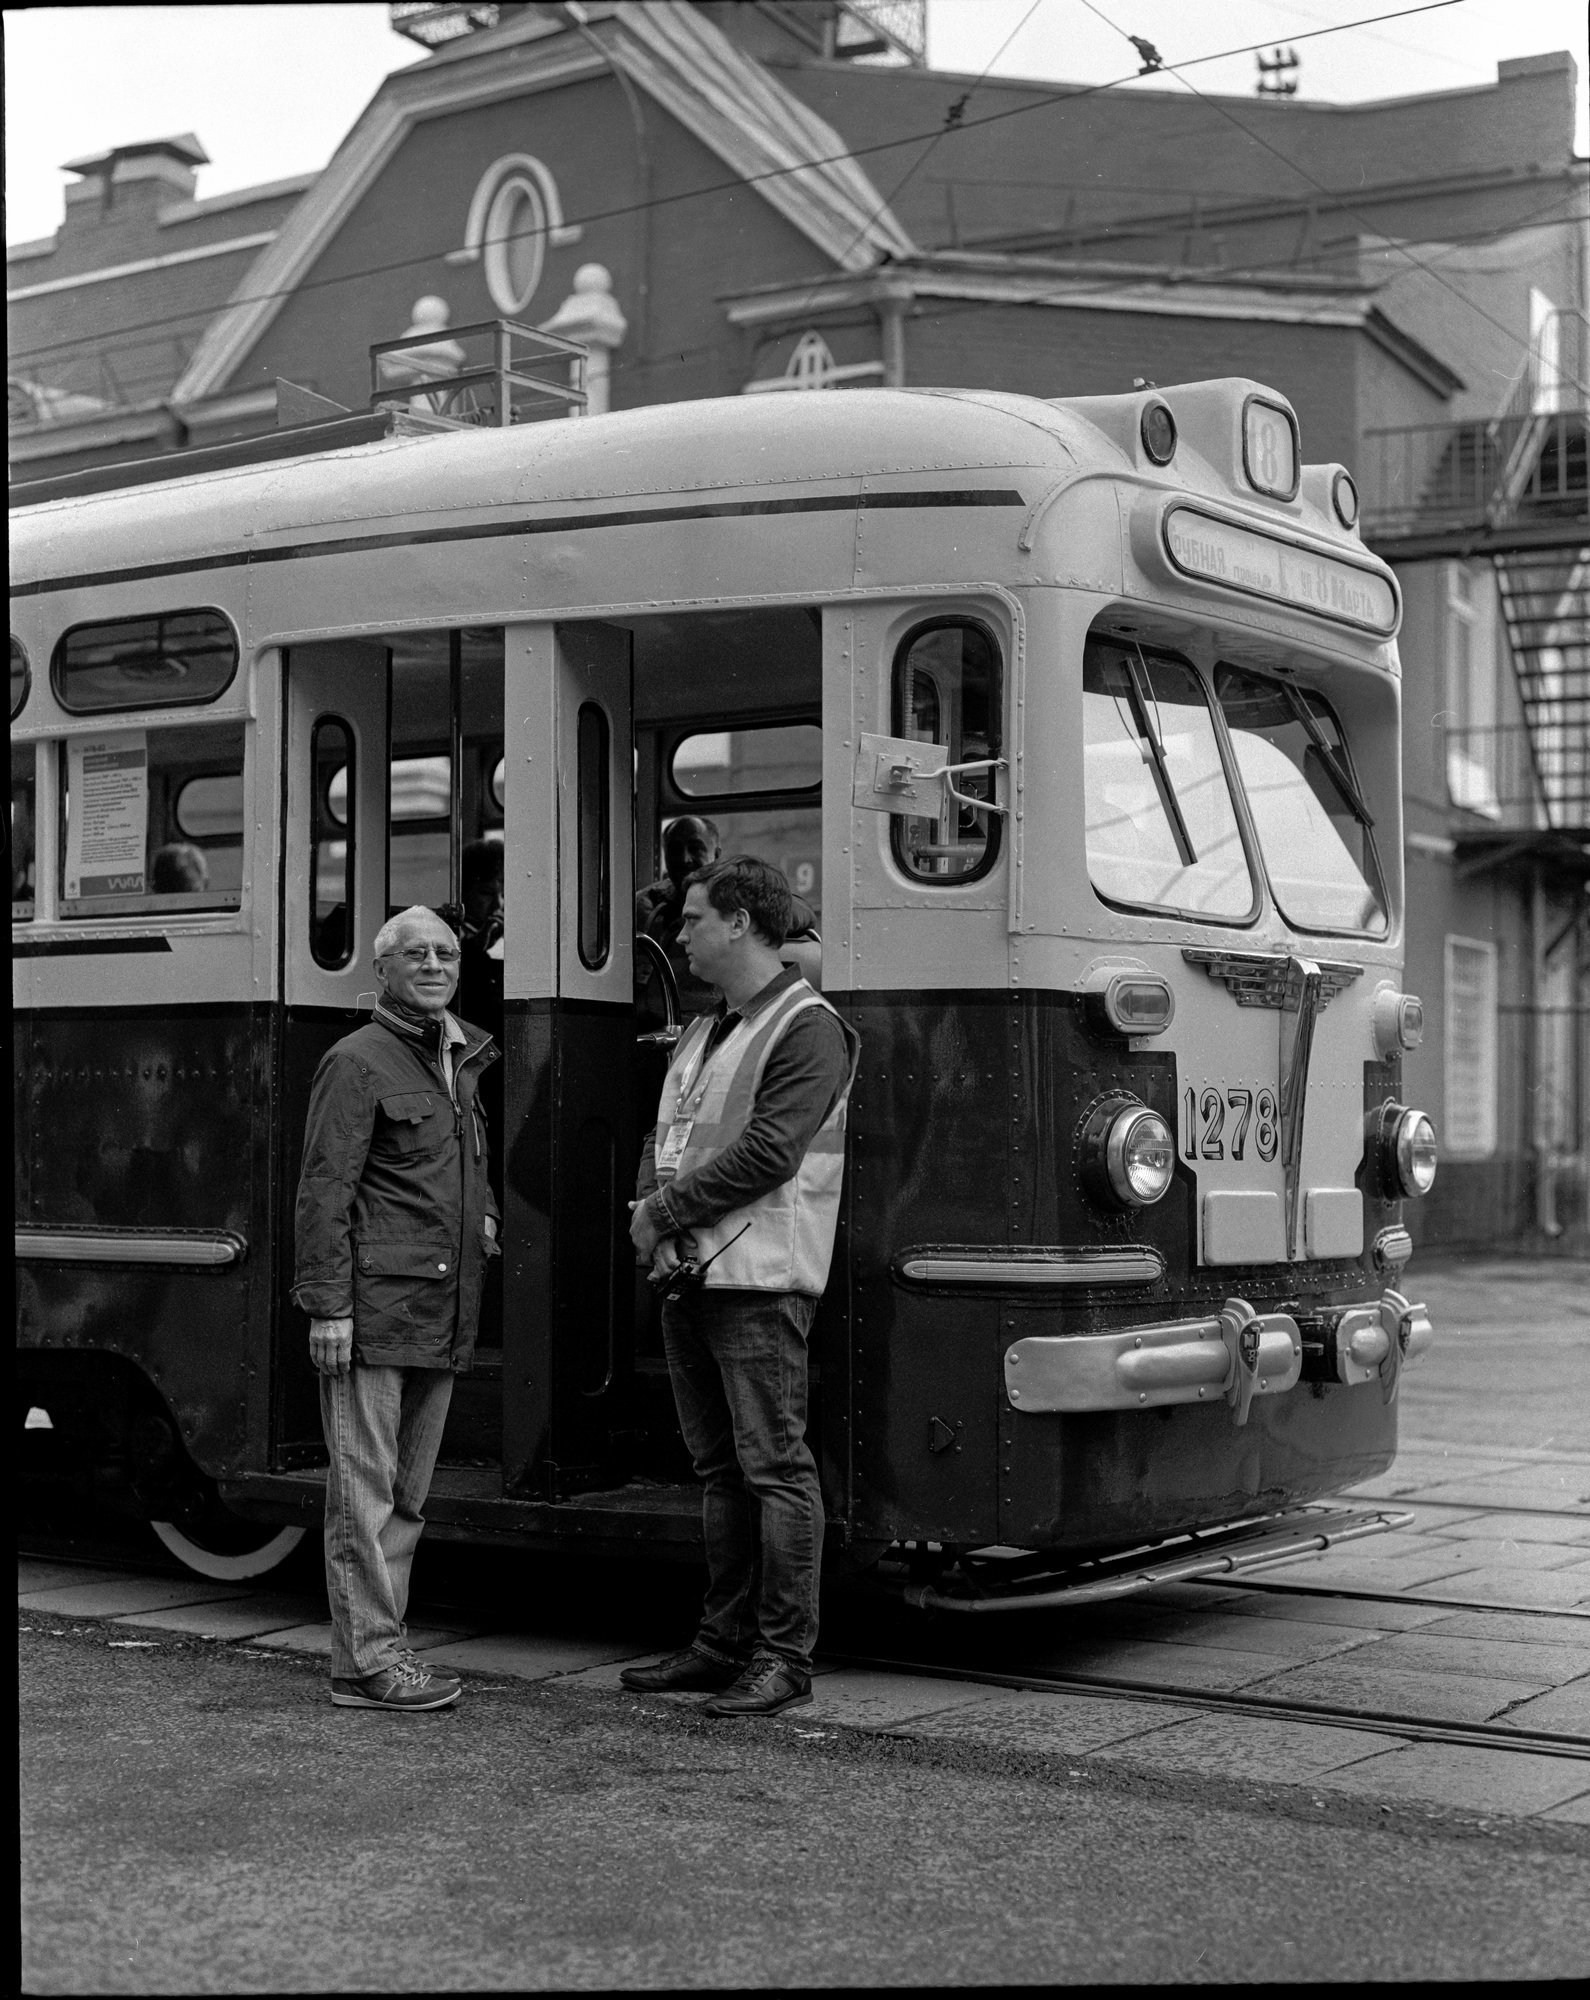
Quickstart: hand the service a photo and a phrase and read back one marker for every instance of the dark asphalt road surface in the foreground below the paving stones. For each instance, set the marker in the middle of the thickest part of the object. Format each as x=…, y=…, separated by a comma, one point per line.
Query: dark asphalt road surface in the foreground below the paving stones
x=199, y=1819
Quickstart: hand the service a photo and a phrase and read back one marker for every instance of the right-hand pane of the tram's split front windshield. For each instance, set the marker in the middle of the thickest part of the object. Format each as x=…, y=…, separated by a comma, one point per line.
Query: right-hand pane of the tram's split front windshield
x=1315, y=831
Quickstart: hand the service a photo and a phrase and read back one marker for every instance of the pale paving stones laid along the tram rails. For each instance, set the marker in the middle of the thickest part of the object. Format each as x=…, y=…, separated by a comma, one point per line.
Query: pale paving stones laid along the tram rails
x=1193, y=1639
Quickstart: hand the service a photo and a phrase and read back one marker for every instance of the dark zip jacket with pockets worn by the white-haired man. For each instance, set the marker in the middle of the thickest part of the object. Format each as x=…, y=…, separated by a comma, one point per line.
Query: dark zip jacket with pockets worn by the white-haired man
x=393, y=1197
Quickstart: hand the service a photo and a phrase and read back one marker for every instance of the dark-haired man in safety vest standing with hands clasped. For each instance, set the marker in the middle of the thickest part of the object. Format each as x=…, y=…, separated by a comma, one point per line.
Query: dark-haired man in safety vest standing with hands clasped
x=741, y=1181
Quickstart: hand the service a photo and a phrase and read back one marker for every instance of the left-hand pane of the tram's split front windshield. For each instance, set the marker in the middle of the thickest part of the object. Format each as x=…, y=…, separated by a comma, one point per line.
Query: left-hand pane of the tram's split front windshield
x=1163, y=831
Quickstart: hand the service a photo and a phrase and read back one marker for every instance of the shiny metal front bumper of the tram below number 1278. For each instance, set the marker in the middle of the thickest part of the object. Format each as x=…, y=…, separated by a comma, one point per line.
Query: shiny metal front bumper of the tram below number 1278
x=1237, y=1355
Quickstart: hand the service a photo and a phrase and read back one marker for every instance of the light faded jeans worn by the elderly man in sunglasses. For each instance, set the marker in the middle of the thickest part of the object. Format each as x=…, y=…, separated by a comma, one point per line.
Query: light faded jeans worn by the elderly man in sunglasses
x=383, y=1435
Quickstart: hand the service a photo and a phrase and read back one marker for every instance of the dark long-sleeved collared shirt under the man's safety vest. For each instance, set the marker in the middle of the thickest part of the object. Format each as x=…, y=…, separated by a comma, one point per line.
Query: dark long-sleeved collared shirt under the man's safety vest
x=801, y=1081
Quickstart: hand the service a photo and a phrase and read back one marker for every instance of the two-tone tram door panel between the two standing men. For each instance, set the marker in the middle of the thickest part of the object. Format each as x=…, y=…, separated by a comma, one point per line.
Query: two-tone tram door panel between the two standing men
x=569, y=1031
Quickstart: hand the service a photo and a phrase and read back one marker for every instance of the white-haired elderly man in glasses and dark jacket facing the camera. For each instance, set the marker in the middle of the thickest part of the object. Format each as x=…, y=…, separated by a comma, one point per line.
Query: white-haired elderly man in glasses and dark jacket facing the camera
x=395, y=1229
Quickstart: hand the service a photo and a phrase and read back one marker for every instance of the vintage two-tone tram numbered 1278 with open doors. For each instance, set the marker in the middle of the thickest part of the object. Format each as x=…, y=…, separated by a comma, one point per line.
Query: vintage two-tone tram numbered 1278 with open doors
x=1079, y=727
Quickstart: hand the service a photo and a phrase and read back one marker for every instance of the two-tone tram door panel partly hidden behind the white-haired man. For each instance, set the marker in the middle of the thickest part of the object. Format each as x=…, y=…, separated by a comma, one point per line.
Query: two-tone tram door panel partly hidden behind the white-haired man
x=333, y=907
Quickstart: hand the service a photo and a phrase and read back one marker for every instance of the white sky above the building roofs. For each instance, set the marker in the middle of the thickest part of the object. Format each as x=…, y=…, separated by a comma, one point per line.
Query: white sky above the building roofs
x=271, y=91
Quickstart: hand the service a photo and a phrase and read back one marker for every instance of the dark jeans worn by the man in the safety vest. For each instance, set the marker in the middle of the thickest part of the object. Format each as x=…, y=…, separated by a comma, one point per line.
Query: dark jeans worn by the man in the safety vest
x=739, y=1371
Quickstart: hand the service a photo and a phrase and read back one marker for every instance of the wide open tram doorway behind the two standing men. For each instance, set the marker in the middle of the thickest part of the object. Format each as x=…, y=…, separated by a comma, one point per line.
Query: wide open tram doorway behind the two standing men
x=563, y=753
